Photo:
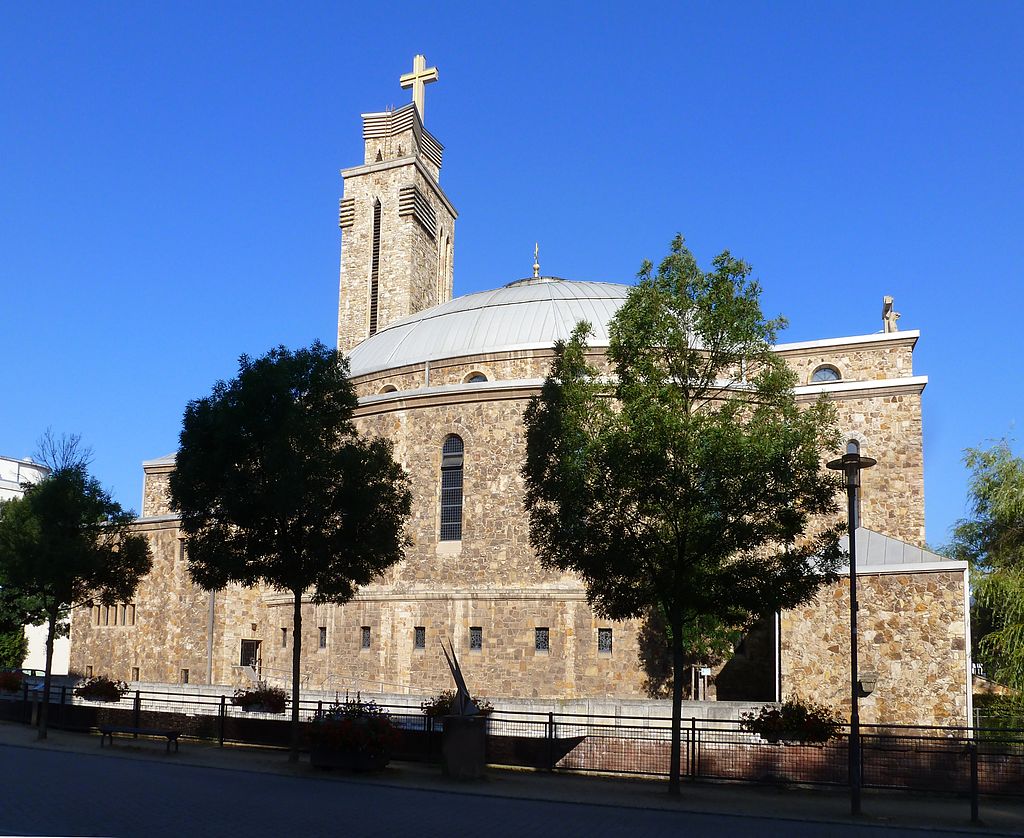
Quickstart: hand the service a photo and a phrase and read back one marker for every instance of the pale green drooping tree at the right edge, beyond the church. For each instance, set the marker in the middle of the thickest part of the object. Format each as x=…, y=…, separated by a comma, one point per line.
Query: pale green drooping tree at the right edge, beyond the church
x=993, y=540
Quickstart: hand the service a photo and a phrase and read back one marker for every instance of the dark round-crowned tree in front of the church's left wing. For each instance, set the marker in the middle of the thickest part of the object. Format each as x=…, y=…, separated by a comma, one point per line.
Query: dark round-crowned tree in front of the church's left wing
x=275, y=487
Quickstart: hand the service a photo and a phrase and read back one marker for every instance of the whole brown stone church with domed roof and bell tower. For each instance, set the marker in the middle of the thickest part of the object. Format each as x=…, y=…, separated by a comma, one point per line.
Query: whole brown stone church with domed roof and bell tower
x=448, y=381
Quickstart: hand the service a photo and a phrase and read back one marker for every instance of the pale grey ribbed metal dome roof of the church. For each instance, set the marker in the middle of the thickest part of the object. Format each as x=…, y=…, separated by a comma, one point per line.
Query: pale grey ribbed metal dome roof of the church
x=526, y=315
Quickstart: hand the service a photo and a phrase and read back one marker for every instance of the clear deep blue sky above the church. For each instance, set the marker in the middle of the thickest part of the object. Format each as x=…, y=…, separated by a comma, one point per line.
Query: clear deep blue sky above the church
x=169, y=184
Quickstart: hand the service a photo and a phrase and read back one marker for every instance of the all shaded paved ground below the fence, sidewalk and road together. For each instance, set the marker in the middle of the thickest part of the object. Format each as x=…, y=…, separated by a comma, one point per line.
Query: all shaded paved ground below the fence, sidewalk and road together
x=70, y=786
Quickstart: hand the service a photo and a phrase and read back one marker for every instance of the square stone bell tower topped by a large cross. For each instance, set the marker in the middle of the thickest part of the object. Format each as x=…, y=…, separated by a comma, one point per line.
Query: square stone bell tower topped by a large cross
x=398, y=226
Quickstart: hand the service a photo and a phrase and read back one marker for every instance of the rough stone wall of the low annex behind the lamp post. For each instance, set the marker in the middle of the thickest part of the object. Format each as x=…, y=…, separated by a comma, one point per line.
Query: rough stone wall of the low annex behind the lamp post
x=911, y=633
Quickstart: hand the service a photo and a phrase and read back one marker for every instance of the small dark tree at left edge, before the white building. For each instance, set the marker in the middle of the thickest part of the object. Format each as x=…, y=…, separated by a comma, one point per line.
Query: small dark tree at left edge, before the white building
x=64, y=544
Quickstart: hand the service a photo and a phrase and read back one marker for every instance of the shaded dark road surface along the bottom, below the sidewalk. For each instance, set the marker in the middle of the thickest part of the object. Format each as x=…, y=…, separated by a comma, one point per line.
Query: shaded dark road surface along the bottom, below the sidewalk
x=71, y=794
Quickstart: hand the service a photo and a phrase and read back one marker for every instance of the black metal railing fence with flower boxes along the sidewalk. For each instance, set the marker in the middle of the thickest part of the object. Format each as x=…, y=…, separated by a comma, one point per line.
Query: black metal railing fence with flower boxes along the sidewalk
x=965, y=761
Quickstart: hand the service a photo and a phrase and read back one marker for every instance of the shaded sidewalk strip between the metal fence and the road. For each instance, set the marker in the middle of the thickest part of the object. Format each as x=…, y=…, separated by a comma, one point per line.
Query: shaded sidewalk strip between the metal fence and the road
x=1000, y=816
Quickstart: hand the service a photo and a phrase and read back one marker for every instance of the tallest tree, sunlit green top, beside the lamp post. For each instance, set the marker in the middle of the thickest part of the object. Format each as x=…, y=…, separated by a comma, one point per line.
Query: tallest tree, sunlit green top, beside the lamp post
x=691, y=482
